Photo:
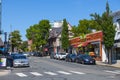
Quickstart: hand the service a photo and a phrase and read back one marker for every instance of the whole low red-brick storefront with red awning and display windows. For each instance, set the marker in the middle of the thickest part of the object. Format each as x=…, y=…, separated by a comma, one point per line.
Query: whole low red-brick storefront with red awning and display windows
x=91, y=44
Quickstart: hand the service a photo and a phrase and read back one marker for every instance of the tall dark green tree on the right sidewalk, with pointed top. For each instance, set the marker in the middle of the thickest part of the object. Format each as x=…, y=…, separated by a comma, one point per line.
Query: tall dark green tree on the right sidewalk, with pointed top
x=106, y=23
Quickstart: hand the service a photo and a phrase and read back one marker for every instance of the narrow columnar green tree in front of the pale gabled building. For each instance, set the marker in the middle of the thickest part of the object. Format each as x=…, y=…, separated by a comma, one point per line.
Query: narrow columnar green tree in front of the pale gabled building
x=65, y=35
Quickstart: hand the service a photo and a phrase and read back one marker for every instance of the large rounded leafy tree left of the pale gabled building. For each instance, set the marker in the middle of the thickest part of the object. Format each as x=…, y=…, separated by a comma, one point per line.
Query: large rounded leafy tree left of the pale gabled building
x=39, y=33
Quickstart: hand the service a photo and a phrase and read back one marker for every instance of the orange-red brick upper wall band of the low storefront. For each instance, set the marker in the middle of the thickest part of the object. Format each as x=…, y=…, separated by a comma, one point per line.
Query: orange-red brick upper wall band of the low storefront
x=78, y=42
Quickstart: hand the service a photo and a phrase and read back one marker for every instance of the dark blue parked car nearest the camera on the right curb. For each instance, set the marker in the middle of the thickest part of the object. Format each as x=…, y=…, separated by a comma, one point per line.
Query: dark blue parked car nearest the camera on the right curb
x=85, y=59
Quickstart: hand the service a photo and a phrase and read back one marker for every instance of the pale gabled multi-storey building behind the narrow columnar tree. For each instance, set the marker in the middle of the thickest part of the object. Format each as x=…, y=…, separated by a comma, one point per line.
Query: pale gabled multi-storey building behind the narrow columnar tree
x=55, y=36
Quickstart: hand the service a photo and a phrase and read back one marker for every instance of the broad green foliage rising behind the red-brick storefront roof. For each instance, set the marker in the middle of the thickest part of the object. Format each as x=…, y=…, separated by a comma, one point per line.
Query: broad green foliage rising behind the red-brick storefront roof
x=85, y=27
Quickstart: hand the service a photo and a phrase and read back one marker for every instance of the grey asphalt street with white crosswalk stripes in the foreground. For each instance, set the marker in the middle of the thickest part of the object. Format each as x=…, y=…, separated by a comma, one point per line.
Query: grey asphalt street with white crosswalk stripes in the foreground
x=44, y=68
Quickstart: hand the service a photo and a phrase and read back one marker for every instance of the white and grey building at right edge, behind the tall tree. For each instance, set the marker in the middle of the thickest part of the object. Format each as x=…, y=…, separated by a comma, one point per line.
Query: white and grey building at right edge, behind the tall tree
x=116, y=21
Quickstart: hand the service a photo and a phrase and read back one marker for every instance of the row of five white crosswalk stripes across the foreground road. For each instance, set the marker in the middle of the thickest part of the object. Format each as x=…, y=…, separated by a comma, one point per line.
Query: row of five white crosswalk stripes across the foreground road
x=48, y=73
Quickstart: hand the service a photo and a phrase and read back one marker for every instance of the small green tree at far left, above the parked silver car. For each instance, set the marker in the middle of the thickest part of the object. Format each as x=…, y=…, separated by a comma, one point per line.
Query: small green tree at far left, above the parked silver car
x=15, y=40
